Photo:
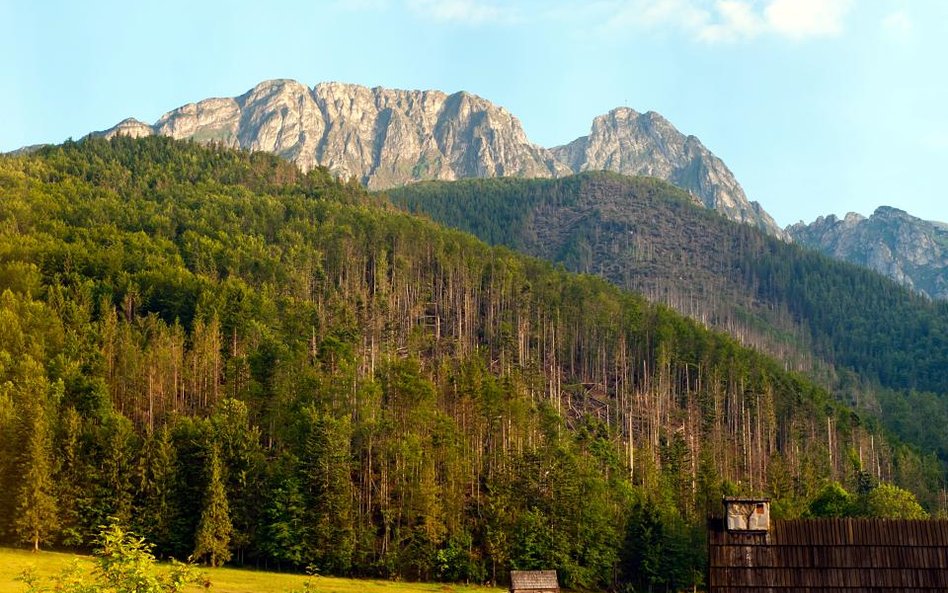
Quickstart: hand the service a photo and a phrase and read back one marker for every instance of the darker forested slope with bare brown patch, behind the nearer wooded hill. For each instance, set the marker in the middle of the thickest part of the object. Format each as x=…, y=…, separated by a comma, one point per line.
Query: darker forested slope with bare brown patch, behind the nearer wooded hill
x=882, y=348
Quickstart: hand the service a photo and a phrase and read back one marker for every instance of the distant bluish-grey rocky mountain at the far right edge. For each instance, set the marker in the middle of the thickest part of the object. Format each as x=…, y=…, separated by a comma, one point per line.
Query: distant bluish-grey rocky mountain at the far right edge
x=907, y=249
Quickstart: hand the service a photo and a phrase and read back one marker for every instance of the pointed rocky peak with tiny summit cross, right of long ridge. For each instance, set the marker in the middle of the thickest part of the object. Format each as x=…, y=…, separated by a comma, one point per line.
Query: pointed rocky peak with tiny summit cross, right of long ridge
x=633, y=143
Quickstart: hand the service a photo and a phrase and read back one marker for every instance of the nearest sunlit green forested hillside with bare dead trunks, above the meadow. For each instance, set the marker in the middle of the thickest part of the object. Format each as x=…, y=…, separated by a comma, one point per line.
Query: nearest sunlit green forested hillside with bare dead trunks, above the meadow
x=248, y=364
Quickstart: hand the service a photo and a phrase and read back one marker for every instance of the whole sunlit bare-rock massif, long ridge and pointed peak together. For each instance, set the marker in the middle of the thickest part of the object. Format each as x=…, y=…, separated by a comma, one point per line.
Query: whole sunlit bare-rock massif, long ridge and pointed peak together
x=386, y=138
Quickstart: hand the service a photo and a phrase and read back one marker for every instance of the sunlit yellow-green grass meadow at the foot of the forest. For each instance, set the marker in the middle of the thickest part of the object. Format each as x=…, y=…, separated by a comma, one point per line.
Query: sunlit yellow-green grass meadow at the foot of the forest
x=227, y=580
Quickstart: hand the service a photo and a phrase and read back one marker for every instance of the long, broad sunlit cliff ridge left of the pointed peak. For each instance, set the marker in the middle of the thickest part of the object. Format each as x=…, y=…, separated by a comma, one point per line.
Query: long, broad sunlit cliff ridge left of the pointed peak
x=382, y=137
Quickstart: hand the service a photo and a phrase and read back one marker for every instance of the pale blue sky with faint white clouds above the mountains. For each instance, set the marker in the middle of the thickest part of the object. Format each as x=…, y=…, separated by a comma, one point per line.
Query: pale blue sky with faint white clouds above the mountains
x=818, y=106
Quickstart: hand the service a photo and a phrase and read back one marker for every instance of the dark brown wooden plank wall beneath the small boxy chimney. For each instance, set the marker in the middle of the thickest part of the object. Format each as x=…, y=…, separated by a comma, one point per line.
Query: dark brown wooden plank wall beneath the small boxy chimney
x=830, y=556
